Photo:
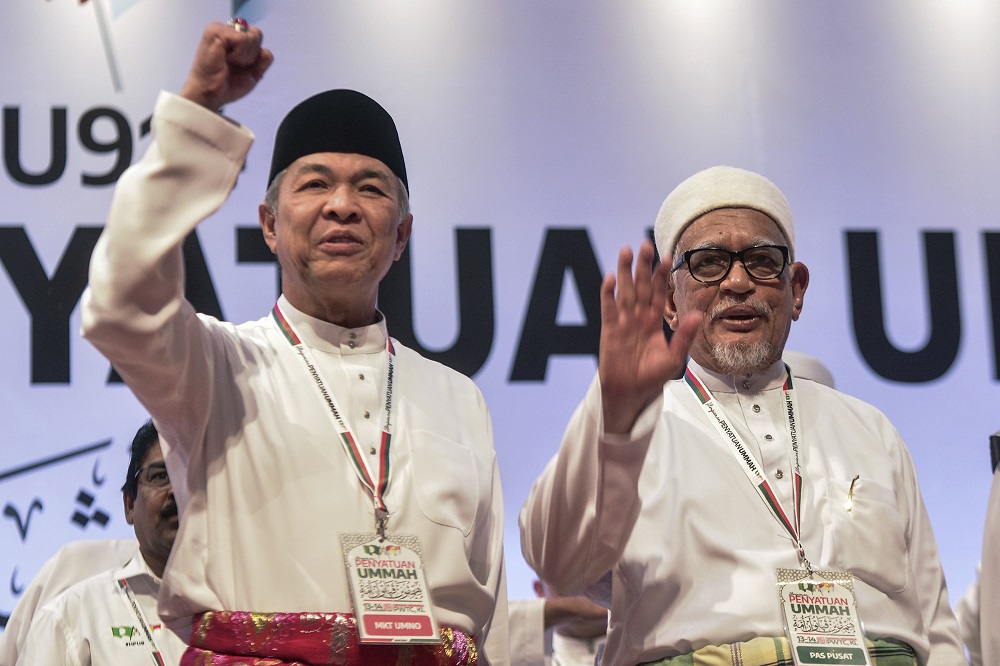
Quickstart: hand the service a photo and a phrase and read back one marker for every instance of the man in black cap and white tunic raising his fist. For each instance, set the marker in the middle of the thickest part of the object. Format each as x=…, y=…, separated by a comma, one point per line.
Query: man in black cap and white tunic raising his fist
x=292, y=437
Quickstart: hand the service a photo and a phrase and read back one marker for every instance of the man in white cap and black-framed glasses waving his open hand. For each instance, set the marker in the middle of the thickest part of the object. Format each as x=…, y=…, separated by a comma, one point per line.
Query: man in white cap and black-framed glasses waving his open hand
x=709, y=512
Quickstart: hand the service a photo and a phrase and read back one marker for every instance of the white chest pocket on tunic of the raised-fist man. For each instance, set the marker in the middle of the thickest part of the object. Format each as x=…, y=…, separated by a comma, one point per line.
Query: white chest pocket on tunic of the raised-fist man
x=448, y=486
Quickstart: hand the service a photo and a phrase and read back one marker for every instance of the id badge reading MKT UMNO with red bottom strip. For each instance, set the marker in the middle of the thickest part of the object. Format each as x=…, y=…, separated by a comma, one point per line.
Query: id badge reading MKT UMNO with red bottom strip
x=389, y=589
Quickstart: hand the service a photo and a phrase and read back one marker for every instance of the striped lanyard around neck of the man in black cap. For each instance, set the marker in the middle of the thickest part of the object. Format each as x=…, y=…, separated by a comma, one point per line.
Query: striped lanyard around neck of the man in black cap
x=376, y=487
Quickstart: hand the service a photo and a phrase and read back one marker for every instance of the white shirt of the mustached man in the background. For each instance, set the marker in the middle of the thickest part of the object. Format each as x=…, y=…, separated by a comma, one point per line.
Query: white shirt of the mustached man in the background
x=91, y=622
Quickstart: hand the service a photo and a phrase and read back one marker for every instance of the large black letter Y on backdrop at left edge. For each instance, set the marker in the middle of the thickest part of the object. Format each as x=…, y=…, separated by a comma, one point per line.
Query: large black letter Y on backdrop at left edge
x=49, y=302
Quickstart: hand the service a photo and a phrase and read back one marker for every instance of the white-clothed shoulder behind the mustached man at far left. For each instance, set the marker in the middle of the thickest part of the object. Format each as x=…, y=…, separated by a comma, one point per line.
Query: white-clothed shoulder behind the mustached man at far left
x=72, y=563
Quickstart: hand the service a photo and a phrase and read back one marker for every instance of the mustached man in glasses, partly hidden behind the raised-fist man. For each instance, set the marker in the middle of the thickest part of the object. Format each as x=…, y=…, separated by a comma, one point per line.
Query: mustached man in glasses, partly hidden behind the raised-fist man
x=111, y=618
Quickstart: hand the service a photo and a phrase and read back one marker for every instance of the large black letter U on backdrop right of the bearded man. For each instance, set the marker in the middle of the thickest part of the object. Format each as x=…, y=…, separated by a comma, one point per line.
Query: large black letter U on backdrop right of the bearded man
x=937, y=356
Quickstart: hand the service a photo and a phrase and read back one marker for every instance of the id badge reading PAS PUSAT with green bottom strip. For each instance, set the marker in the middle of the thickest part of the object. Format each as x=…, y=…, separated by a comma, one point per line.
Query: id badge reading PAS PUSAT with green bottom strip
x=821, y=617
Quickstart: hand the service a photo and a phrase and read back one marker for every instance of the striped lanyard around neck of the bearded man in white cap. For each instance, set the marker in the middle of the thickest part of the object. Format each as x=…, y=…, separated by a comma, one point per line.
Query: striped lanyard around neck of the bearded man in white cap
x=750, y=465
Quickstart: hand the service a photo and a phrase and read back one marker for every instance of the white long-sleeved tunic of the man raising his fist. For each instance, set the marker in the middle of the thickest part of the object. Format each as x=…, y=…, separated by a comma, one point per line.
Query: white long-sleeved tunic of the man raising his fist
x=263, y=483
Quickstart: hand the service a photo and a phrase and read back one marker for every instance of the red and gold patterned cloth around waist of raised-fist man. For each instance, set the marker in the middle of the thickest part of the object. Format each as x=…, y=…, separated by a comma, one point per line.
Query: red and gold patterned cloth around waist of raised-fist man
x=240, y=638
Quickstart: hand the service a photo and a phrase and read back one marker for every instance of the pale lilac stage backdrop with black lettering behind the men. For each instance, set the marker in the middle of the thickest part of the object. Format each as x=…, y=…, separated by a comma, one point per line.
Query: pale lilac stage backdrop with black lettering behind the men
x=559, y=122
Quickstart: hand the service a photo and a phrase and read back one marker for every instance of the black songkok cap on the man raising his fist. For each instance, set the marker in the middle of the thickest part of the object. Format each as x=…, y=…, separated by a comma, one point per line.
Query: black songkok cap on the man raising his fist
x=338, y=121
